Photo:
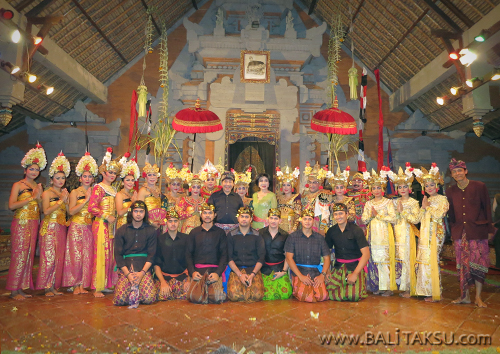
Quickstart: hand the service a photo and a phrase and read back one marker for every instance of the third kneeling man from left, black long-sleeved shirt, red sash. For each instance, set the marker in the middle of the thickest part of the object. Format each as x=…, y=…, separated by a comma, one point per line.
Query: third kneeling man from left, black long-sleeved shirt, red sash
x=206, y=258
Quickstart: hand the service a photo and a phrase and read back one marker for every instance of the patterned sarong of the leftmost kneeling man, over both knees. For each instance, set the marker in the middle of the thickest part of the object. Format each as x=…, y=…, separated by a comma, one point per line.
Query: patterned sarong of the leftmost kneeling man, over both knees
x=123, y=290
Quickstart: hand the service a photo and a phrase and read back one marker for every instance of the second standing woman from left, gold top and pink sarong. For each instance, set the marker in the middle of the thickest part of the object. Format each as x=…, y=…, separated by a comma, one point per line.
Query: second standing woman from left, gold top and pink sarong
x=53, y=230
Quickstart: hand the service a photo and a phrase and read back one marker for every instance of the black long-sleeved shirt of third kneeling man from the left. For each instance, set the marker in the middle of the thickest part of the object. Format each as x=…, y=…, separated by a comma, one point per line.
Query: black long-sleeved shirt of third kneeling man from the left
x=207, y=247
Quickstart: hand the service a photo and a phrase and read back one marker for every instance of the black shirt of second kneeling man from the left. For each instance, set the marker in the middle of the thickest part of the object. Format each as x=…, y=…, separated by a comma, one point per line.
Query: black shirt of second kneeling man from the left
x=171, y=254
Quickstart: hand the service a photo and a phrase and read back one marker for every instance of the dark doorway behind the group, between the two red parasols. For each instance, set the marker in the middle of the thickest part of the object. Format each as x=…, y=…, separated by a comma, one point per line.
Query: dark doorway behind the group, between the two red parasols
x=258, y=154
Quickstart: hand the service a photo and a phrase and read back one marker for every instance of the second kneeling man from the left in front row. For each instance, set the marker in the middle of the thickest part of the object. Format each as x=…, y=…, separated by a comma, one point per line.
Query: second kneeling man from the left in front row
x=172, y=279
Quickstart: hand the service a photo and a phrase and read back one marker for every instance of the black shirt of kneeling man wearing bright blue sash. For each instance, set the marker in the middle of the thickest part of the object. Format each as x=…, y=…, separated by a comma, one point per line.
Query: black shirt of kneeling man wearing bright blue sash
x=307, y=250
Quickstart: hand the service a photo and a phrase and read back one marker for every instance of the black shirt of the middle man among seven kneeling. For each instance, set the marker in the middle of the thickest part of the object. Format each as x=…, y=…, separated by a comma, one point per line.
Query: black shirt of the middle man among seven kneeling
x=246, y=250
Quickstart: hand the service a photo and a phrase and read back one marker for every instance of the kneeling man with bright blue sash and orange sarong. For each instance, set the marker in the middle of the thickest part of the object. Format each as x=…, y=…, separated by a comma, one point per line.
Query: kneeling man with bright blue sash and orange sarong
x=304, y=249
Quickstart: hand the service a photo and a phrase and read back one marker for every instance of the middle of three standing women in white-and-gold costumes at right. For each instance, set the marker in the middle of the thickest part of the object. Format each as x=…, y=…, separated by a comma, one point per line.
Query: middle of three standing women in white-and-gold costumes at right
x=405, y=231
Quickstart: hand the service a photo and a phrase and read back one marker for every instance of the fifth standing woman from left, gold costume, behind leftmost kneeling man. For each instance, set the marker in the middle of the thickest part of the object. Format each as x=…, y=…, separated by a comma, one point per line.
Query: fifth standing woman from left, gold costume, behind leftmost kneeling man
x=127, y=195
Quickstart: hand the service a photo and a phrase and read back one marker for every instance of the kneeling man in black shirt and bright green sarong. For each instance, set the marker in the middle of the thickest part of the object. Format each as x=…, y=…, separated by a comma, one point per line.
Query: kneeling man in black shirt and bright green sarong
x=277, y=285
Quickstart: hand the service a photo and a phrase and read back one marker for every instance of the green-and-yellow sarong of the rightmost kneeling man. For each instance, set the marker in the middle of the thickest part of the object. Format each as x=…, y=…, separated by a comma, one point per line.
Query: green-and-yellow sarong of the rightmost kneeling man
x=339, y=290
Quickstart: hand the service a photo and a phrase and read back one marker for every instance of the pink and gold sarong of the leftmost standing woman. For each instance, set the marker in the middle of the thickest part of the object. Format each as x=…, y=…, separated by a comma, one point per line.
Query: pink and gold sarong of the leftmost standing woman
x=23, y=243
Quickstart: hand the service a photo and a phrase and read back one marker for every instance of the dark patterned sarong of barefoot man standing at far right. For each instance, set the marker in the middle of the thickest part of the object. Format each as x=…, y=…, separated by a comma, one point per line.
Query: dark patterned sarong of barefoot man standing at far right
x=472, y=262
